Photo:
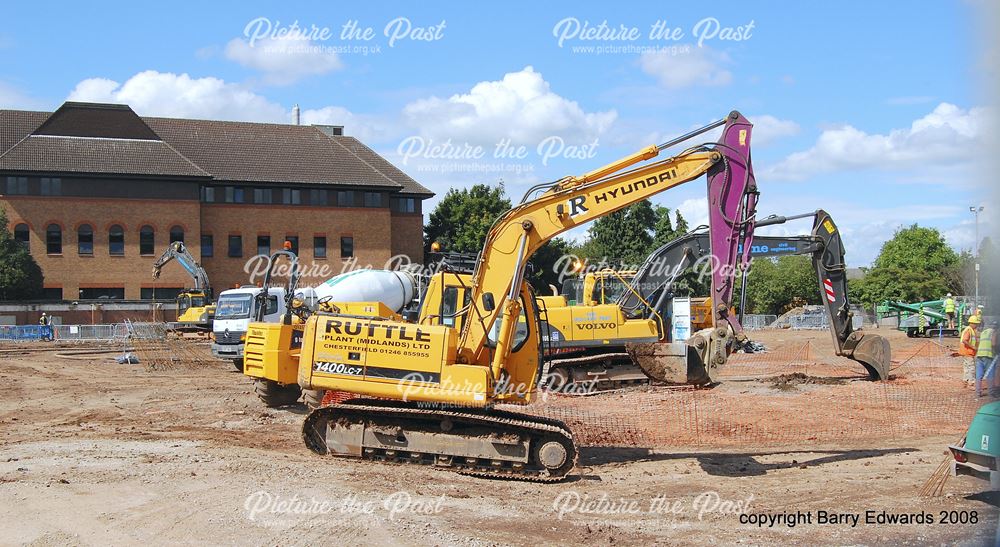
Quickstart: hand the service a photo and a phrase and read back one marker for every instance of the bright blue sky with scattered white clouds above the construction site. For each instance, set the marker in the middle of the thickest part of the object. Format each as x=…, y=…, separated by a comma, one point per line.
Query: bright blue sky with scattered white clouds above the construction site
x=870, y=111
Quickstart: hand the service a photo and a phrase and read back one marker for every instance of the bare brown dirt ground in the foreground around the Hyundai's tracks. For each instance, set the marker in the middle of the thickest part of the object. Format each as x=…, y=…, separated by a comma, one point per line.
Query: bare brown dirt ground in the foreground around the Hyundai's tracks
x=93, y=452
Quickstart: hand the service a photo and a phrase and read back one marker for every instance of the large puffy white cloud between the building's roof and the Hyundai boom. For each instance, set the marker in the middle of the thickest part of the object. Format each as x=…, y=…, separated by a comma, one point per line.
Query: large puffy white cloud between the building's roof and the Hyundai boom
x=520, y=107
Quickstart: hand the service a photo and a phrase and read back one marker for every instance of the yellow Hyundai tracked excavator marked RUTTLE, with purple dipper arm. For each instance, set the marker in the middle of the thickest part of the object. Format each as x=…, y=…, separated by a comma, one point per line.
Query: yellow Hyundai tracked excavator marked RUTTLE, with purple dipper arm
x=429, y=389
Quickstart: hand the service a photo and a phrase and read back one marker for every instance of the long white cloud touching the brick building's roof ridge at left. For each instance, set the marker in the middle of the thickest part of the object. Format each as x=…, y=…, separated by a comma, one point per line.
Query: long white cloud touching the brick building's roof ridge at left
x=152, y=93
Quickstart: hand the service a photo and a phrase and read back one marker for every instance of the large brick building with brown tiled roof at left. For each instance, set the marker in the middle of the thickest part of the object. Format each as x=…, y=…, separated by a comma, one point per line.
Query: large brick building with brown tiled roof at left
x=97, y=192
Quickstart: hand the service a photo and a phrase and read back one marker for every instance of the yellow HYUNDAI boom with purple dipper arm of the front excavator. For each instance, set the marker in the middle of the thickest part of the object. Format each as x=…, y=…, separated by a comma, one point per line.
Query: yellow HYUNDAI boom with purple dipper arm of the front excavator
x=573, y=201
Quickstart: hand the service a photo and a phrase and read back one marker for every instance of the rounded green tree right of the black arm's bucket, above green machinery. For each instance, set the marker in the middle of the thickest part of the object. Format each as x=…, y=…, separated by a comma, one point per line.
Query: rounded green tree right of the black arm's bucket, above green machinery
x=915, y=265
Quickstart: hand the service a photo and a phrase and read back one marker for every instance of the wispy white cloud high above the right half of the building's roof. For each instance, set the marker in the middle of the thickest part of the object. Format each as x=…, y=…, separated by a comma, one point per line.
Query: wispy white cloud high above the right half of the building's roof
x=284, y=60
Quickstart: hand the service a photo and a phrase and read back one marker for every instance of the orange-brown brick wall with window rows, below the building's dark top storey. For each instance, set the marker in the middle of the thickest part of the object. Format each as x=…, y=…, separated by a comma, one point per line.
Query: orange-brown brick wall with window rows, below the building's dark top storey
x=377, y=234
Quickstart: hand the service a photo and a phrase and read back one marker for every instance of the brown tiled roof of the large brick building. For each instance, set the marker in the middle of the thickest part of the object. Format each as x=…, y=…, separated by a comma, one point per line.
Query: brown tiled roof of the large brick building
x=82, y=137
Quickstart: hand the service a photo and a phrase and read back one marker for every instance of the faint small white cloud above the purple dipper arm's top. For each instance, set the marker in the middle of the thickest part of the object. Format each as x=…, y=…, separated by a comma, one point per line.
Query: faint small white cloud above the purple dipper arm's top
x=700, y=66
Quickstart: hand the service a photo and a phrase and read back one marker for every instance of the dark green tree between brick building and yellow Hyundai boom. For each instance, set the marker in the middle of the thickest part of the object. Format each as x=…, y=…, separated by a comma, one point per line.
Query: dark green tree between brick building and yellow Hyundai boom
x=462, y=219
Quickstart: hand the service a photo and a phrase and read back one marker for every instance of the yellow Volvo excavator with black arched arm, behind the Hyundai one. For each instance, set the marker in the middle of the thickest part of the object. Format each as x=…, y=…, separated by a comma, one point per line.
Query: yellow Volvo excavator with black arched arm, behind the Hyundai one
x=597, y=347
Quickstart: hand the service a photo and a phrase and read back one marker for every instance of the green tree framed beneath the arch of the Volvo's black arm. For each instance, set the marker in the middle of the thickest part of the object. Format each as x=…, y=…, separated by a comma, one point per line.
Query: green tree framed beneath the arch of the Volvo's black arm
x=774, y=286
